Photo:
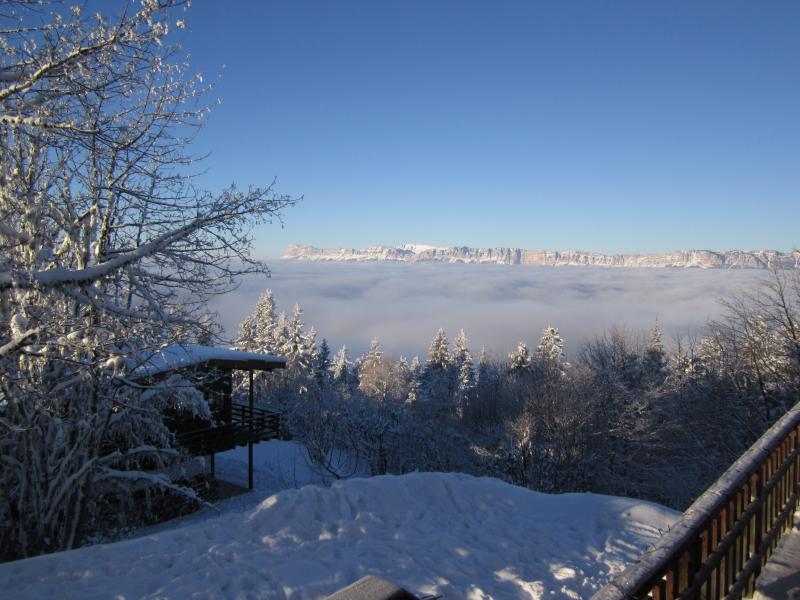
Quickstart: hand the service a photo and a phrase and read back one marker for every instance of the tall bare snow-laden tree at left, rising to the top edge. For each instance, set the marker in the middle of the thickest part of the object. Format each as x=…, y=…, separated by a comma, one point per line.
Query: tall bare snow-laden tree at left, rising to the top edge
x=107, y=247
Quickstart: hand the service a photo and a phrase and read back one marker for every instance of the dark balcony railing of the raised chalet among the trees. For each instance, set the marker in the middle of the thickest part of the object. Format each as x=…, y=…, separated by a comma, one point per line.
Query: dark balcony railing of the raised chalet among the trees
x=248, y=425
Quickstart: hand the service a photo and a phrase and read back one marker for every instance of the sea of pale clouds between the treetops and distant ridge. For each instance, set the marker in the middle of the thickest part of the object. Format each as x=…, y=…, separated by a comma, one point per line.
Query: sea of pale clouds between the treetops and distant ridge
x=404, y=304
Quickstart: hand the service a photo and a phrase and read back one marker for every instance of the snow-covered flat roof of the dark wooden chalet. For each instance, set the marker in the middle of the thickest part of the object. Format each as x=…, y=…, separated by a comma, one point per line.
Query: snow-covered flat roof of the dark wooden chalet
x=181, y=356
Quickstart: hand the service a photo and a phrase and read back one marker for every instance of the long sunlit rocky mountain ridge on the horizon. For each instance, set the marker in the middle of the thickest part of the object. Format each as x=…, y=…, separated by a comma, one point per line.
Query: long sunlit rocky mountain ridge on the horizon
x=703, y=259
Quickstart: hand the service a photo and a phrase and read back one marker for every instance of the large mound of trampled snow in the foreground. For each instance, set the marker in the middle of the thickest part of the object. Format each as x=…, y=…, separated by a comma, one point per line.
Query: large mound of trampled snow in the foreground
x=453, y=534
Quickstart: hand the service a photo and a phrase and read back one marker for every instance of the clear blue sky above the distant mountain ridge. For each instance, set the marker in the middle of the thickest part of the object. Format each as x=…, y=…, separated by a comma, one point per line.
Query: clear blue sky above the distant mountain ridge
x=608, y=126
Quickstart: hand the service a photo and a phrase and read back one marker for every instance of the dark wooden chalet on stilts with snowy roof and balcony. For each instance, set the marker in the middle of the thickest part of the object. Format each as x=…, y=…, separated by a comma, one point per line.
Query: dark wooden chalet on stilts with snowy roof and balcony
x=211, y=370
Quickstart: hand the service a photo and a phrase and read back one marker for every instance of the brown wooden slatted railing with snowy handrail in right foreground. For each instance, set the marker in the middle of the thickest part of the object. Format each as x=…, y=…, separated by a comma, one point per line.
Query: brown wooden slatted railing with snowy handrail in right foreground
x=719, y=545
